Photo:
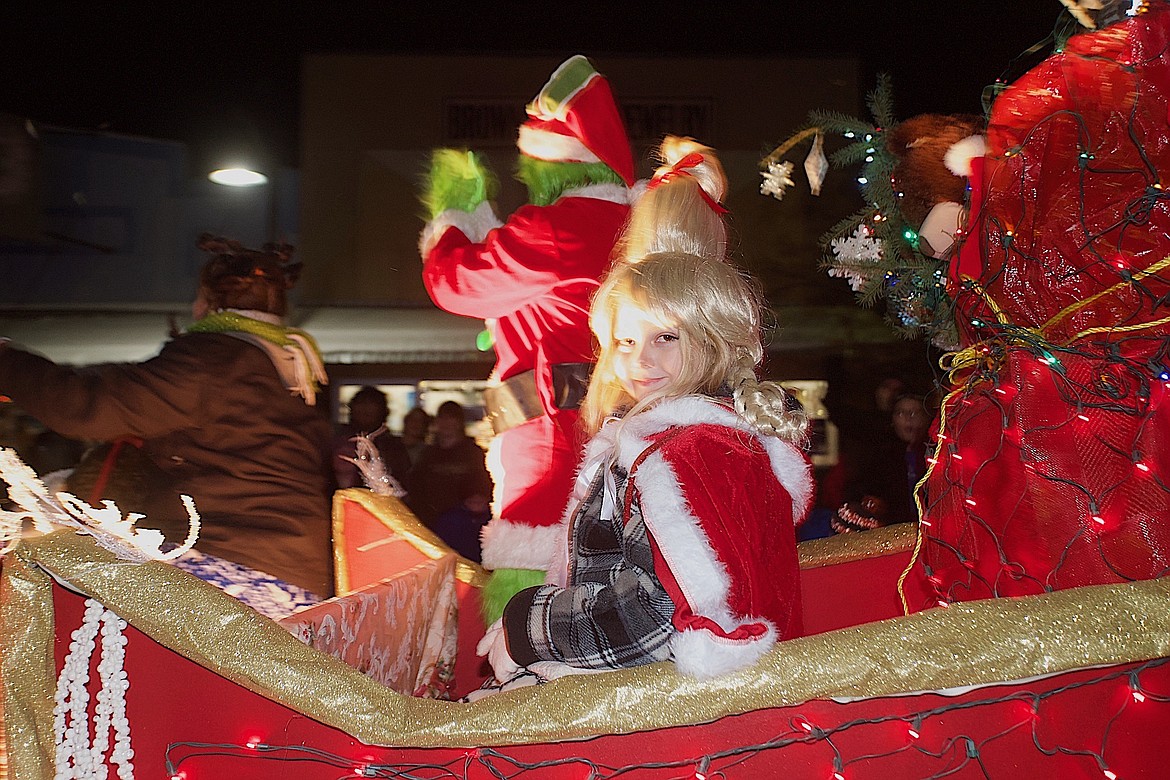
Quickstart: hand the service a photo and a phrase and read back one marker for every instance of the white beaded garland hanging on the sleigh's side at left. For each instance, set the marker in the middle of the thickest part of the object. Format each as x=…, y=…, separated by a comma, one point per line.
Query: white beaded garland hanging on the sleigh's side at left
x=78, y=756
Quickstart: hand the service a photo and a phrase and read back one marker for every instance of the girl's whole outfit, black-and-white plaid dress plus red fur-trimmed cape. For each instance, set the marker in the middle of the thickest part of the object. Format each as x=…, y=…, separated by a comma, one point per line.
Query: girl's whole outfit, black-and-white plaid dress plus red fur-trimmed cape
x=682, y=546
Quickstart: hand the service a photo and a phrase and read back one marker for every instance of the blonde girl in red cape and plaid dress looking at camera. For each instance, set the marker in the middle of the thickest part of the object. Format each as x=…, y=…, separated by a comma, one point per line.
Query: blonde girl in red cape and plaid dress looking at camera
x=680, y=537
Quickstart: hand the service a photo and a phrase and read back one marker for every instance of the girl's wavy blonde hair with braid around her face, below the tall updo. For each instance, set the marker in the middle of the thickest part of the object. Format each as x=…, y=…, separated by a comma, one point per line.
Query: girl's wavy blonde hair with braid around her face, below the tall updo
x=718, y=314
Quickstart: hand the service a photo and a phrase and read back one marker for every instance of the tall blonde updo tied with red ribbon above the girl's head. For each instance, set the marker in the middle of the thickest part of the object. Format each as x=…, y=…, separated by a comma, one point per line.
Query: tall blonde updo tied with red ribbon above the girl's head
x=679, y=211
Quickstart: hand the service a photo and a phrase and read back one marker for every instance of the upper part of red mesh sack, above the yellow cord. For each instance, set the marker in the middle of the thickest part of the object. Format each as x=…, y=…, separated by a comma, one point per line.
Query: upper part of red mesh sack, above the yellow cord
x=1057, y=227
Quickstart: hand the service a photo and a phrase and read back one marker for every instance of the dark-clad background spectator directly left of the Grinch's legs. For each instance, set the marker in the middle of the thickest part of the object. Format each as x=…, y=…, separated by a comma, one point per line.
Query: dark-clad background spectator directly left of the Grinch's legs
x=450, y=488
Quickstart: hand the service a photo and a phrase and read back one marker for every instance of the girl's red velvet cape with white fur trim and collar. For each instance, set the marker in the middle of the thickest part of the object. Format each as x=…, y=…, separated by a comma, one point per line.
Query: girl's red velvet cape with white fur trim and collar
x=720, y=503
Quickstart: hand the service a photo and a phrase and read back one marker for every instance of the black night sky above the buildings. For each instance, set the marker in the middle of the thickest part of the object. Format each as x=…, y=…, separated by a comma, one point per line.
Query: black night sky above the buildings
x=192, y=71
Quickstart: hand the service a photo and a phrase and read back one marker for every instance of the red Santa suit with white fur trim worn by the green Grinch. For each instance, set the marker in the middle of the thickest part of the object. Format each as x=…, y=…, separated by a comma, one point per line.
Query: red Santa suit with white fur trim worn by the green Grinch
x=532, y=280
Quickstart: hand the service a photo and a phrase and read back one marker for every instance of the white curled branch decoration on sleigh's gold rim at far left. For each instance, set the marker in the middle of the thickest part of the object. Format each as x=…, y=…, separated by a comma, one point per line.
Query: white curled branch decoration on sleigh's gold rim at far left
x=106, y=523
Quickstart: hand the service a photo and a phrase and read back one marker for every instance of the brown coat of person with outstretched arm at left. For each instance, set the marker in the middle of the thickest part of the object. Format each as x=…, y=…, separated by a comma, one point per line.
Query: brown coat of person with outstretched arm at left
x=223, y=429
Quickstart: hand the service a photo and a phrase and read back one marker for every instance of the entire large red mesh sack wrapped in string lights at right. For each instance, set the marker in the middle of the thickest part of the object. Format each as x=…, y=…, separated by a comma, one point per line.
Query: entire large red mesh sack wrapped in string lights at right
x=1054, y=471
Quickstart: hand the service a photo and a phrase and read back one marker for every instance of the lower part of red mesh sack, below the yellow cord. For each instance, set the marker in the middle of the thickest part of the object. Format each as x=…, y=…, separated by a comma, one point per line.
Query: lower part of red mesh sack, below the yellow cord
x=1033, y=493
